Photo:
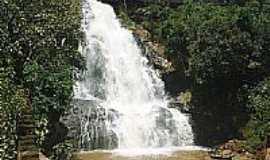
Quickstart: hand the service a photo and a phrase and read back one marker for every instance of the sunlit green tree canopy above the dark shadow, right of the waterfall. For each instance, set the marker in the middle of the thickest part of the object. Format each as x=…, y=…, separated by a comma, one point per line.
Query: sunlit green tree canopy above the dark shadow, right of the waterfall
x=208, y=41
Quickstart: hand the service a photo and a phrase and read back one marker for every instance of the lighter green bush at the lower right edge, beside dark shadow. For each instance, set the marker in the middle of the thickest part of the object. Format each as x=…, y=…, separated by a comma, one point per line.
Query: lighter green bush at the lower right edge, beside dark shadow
x=258, y=127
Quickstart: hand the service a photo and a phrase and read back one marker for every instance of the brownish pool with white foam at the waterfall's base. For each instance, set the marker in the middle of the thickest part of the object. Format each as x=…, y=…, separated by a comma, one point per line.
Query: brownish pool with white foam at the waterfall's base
x=179, y=153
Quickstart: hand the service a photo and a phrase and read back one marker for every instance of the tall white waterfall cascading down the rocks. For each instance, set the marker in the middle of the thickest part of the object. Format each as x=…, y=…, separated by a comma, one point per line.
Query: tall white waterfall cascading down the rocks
x=127, y=93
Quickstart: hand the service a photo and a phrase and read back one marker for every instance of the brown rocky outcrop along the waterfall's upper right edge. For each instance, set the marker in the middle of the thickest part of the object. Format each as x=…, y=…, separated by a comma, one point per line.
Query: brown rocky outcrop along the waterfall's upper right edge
x=175, y=80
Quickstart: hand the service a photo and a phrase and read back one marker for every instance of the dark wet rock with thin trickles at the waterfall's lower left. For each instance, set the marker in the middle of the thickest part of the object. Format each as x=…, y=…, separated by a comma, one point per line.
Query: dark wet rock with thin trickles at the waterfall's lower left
x=94, y=134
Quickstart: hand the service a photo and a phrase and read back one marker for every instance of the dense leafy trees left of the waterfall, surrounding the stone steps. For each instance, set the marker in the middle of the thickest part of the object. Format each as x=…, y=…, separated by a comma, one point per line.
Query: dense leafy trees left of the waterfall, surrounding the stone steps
x=38, y=55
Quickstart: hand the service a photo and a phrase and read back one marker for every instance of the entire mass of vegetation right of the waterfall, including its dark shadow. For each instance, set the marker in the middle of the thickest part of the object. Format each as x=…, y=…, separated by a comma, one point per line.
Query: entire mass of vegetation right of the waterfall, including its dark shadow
x=223, y=53
